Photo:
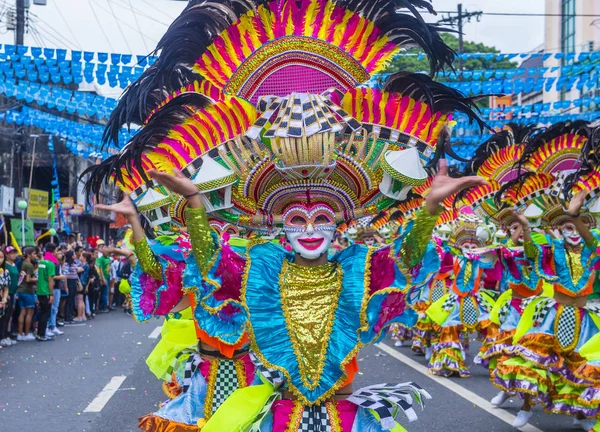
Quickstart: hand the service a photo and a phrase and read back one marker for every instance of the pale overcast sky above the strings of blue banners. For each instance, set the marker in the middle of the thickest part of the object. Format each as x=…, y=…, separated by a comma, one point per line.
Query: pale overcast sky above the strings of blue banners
x=134, y=26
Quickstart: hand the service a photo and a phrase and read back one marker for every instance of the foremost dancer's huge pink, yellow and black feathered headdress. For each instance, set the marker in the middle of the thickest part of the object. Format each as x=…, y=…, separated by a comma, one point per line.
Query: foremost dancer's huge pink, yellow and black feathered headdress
x=253, y=116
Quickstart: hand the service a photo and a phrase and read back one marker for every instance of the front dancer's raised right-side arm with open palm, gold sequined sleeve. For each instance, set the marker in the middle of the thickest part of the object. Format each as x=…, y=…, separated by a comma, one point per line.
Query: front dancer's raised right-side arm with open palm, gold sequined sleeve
x=415, y=242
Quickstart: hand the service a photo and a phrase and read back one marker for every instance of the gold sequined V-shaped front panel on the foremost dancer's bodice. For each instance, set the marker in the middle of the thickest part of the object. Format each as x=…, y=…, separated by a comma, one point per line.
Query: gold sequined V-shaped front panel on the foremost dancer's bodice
x=309, y=297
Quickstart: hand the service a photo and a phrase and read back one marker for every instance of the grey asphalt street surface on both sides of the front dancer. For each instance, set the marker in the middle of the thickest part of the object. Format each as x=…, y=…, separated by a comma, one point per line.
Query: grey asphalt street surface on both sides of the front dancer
x=47, y=386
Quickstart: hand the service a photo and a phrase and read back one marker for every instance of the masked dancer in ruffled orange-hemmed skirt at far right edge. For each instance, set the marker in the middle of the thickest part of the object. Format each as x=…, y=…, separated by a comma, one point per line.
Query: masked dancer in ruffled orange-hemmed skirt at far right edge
x=545, y=365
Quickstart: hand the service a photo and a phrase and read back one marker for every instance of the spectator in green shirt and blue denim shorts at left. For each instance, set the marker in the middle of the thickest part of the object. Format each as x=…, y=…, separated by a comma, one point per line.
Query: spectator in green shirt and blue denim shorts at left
x=26, y=294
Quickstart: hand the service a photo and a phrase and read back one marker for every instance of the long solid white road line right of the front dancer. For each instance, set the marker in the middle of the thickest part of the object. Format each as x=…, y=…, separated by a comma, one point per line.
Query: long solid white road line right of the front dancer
x=503, y=415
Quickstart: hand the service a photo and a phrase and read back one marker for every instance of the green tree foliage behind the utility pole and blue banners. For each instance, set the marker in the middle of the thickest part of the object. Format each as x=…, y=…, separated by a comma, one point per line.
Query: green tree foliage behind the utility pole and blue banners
x=413, y=64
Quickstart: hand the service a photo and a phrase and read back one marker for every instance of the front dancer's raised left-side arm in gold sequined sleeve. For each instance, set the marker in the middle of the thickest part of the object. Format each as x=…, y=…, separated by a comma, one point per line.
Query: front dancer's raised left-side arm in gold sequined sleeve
x=203, y=244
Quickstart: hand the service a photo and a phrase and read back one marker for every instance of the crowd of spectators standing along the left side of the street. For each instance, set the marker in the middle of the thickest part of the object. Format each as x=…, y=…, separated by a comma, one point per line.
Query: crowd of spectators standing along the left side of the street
x=48, y=287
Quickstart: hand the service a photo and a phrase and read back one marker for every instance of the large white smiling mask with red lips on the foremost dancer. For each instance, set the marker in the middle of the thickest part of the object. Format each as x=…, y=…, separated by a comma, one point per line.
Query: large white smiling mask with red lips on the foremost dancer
x=309, y=231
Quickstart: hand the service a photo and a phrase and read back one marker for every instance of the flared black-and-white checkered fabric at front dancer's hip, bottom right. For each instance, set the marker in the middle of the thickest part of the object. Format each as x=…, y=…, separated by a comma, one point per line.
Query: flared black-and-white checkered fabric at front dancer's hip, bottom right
x=387, y=400
